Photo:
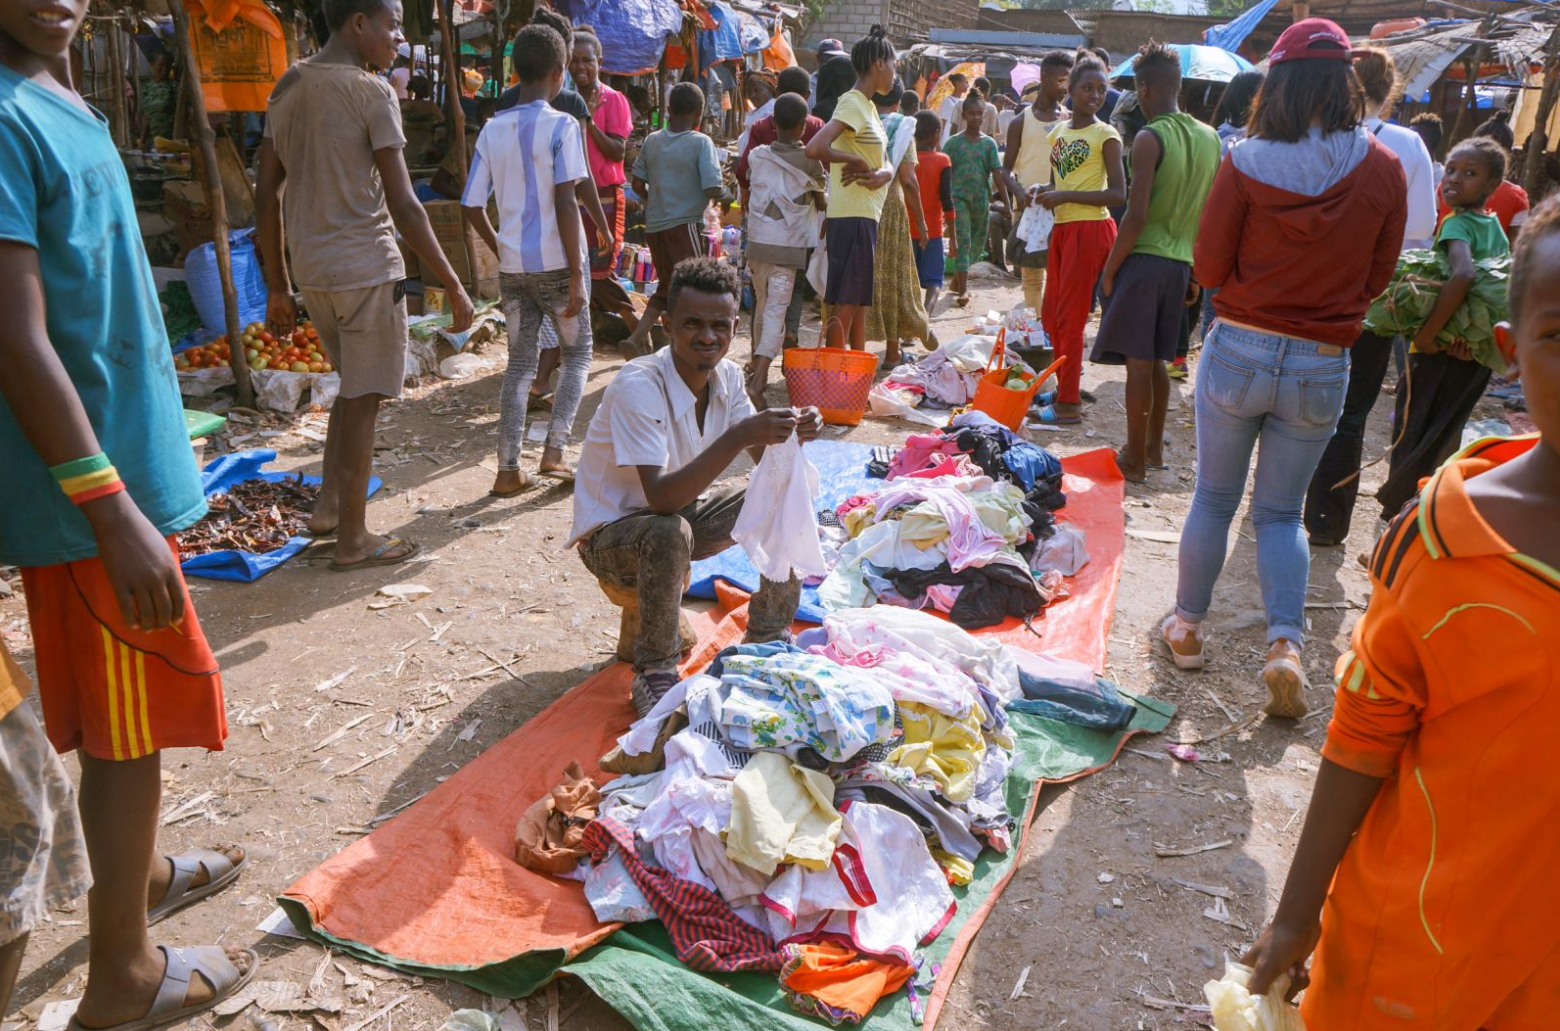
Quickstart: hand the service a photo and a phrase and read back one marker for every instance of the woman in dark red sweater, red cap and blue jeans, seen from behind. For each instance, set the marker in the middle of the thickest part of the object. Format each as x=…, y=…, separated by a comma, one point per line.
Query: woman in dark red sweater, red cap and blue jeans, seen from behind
x=1300, y=233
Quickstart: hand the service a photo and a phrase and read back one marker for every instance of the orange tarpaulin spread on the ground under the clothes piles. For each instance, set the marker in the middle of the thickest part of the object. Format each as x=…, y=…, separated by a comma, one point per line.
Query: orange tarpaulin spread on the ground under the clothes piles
x=438, y=888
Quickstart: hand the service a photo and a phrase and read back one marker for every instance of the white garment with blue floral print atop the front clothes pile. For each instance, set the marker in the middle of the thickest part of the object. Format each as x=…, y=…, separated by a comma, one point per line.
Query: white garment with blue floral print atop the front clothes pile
x=801, y=700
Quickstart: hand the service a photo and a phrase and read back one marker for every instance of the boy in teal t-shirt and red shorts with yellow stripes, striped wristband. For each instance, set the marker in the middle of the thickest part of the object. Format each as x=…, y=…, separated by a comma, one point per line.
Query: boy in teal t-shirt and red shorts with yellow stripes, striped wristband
x=99, y=477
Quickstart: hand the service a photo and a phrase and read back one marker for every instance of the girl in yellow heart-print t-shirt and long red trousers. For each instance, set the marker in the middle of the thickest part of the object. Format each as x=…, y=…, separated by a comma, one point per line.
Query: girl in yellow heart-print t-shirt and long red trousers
x=1087, y=180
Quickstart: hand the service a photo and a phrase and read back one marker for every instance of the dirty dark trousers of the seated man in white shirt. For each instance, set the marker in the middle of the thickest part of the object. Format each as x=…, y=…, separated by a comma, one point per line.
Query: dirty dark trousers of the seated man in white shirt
x=653, y=554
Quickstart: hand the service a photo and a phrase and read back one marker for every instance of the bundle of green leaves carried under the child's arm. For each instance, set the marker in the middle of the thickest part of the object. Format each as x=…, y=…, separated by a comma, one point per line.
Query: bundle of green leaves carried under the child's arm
x=1411, y=297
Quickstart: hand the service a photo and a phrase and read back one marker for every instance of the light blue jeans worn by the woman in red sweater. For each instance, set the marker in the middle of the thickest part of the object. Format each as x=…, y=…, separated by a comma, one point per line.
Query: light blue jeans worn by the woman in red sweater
x=1288, y=394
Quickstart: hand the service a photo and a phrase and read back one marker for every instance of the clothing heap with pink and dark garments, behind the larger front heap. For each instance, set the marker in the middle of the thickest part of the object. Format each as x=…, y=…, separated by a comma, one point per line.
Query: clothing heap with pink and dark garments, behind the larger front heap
x=963, y=525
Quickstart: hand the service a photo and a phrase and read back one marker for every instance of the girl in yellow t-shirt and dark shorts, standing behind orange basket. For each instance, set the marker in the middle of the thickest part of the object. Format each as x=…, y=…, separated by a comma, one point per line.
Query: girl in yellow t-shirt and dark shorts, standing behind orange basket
x=856, y=149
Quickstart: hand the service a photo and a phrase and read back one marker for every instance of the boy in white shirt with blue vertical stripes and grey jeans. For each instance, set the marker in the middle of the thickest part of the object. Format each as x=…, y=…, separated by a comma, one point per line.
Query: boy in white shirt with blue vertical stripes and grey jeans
x=531, y=157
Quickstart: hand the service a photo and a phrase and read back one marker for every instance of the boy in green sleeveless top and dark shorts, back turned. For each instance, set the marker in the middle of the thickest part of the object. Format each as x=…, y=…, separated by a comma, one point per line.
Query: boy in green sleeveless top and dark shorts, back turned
x=1147, y=280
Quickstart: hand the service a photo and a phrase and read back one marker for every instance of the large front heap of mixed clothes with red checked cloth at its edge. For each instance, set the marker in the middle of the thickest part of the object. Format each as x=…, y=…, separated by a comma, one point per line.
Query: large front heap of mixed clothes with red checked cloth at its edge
x=806, y=809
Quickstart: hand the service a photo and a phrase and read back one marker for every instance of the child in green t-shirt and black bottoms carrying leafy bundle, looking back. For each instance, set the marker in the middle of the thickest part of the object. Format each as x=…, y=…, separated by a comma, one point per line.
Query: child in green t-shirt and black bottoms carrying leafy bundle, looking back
x=1447, y=383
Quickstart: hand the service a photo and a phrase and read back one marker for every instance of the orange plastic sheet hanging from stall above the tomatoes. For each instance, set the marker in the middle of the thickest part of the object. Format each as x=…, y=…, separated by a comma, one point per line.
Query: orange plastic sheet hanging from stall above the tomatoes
x=241, y=52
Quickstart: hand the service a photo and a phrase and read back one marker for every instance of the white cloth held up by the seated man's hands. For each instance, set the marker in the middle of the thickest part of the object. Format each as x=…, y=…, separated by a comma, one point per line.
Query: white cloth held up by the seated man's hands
x=778, y=526
